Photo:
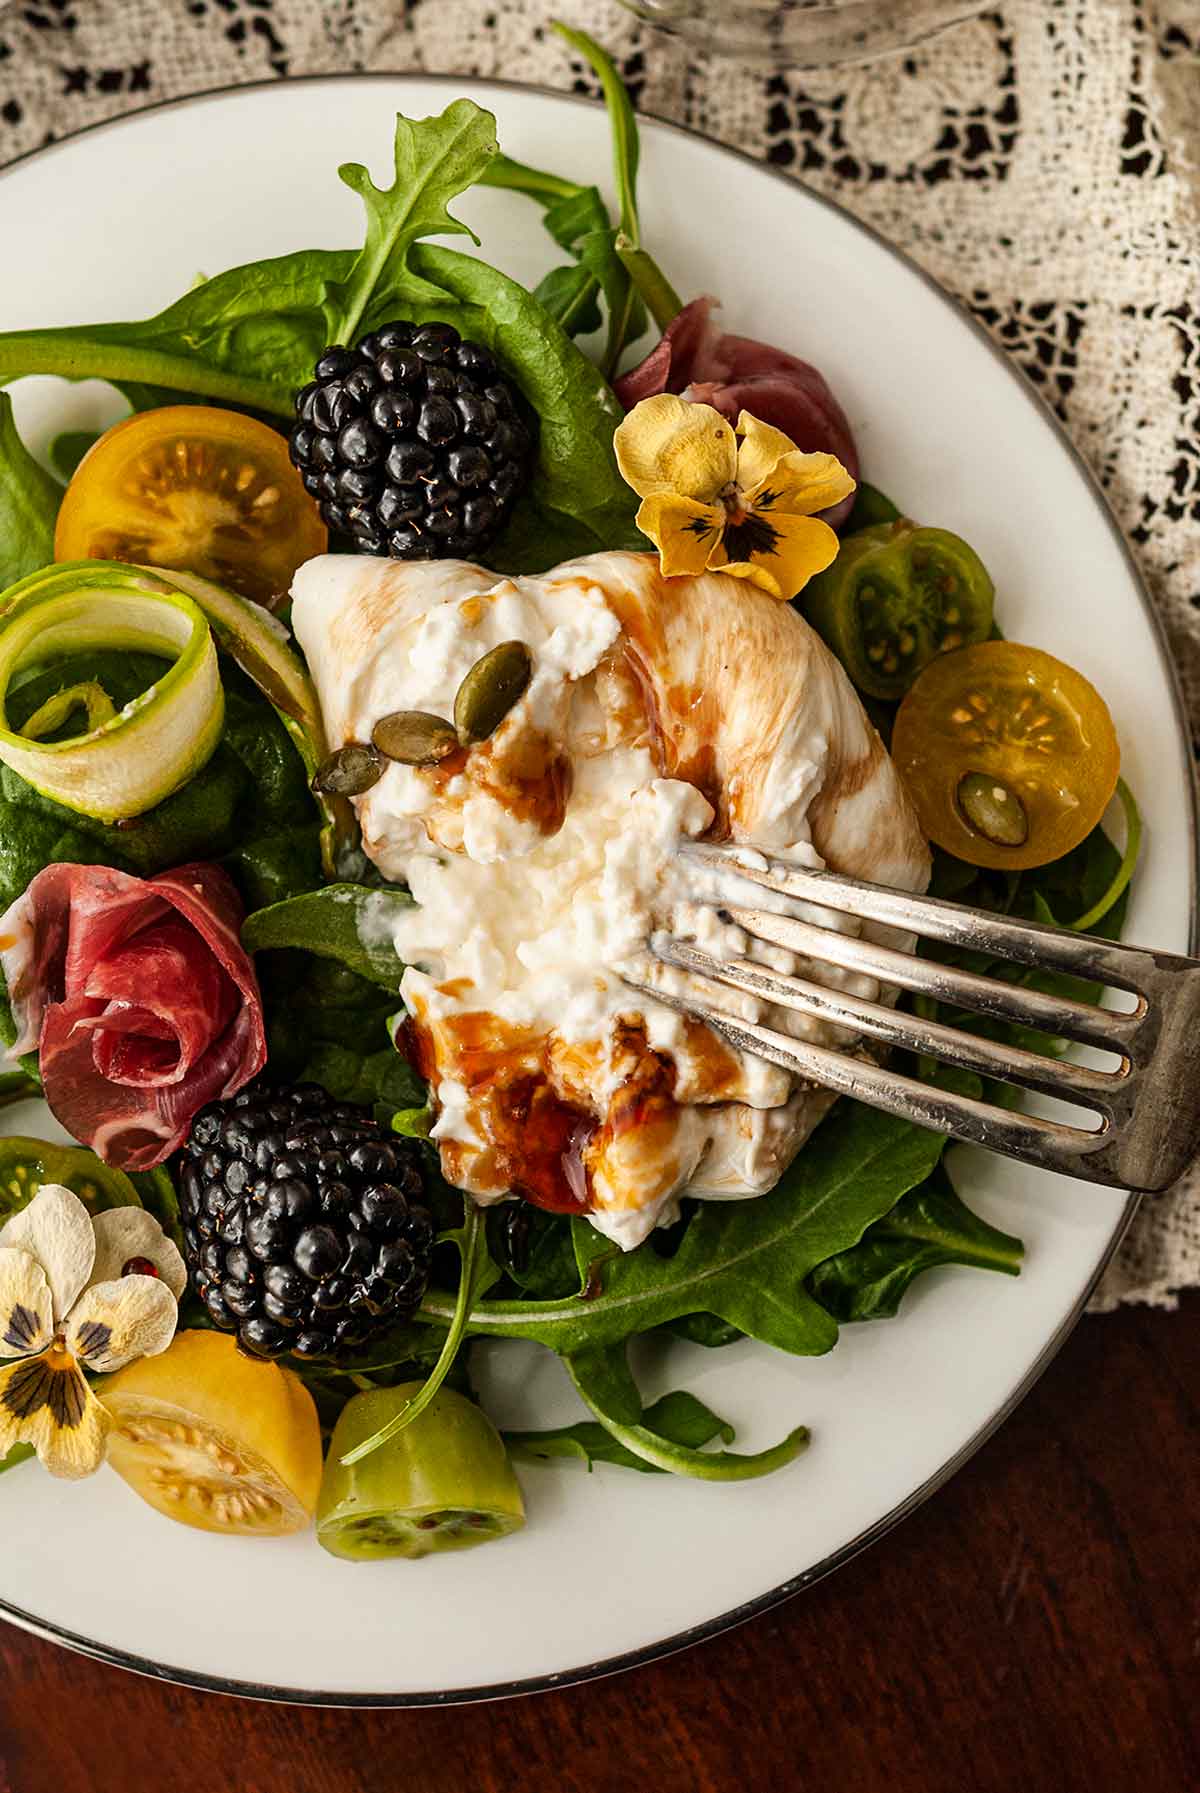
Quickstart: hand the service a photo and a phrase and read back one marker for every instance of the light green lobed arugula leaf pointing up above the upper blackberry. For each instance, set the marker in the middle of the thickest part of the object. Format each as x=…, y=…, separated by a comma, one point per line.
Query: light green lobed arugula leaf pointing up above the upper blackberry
x=435, y=159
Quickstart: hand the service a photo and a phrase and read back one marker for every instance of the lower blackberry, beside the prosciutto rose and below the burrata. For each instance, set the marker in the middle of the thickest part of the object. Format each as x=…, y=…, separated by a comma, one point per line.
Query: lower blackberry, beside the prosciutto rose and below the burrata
x=304, y=1222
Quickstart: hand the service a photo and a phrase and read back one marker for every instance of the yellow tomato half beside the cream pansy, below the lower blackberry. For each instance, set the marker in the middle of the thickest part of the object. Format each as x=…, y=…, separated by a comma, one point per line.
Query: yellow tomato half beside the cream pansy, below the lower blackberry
x=214, y=1439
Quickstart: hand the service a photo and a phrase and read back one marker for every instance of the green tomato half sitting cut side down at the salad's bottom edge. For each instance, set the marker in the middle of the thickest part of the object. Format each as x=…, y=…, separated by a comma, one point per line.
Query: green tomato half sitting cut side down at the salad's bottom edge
x=444, y=1484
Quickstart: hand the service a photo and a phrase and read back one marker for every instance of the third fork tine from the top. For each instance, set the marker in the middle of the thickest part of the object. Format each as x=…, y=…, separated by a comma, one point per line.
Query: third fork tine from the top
x=1009, y=1064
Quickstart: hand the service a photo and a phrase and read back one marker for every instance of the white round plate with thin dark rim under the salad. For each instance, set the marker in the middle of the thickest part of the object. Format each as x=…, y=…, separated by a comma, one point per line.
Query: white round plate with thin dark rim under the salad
x=613, y=1568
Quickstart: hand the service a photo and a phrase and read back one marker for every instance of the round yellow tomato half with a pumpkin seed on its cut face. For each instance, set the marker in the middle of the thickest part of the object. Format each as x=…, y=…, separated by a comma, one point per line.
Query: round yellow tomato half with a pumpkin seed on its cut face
x=1009, y=754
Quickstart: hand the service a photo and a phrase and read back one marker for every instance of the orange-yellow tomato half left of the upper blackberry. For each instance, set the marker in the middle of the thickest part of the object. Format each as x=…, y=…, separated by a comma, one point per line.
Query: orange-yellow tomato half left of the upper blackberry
x=198, y=490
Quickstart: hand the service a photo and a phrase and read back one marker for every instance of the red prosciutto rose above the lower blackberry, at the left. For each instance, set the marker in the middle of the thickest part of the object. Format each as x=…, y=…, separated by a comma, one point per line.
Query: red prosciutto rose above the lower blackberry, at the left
x=137, y=996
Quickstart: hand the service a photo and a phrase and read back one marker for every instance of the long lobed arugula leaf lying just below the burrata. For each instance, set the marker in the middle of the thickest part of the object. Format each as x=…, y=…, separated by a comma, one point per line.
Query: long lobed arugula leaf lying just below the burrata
x=743, y=1261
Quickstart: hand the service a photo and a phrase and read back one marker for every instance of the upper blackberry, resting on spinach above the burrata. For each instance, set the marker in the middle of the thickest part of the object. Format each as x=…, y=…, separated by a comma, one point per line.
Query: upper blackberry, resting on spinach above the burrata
x=413, y=444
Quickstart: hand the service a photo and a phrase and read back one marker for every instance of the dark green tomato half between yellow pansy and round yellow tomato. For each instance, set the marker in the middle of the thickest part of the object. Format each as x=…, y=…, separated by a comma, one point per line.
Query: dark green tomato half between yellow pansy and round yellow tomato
x=894, y=600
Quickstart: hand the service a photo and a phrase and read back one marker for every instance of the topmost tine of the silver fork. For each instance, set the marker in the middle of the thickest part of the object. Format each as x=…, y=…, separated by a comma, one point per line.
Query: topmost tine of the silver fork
x=935, y=919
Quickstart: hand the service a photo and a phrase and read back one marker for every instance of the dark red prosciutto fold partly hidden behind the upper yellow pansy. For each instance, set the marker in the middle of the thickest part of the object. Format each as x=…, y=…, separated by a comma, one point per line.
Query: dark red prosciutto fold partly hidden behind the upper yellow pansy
x=733, y=374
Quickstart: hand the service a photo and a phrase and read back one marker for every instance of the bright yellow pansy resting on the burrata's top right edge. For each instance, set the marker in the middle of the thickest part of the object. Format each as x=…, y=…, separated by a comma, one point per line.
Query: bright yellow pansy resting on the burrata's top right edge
x=733, y=501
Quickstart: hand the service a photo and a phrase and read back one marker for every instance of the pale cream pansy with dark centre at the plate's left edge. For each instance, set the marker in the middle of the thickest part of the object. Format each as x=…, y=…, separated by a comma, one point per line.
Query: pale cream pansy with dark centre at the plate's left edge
x=78, y=1294
